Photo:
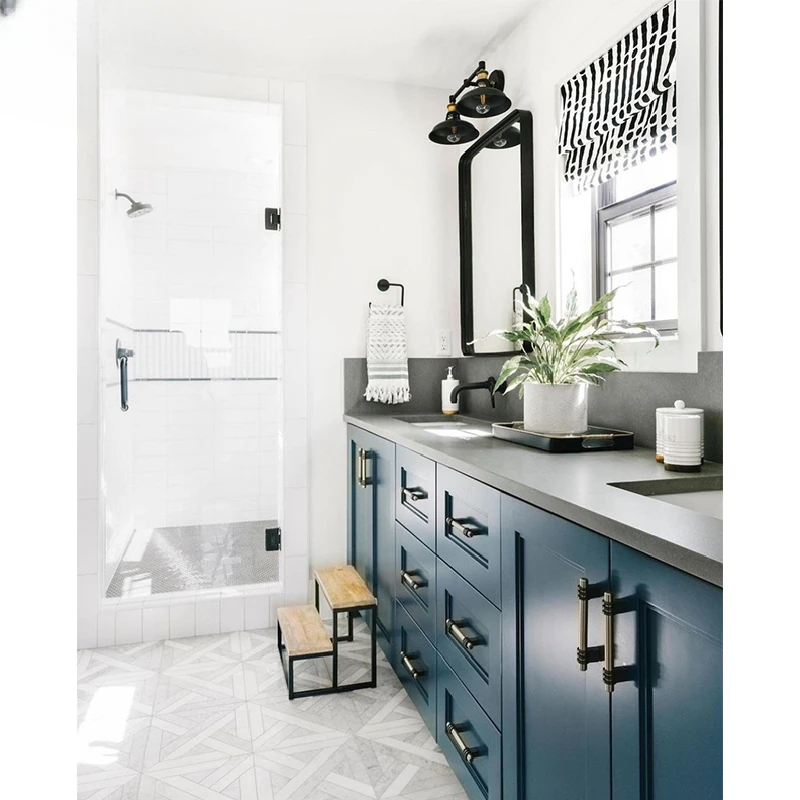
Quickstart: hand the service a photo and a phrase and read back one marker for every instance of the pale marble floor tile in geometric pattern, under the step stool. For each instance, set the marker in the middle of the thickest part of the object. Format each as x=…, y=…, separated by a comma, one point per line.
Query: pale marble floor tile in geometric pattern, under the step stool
x=208, y=718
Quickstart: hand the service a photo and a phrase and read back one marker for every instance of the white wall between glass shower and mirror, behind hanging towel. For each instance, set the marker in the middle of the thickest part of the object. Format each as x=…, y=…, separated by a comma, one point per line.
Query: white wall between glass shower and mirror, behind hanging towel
x=382, y=203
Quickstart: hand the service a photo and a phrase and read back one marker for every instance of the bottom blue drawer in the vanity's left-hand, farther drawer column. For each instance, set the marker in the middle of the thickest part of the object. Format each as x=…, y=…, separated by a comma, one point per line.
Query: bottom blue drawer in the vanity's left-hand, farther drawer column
x=415, y=664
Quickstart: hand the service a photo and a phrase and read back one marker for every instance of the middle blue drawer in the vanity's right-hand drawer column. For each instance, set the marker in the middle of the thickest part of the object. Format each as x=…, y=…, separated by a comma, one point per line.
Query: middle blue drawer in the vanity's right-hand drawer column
x=468, y=636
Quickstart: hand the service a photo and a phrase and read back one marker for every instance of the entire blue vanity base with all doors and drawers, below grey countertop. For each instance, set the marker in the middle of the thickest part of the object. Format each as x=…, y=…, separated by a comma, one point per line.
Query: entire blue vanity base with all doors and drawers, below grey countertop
x=506, y=660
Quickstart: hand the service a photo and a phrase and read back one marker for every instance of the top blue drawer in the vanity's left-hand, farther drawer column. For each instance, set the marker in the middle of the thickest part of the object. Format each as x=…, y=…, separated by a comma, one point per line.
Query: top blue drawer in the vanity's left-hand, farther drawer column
x=415, y=497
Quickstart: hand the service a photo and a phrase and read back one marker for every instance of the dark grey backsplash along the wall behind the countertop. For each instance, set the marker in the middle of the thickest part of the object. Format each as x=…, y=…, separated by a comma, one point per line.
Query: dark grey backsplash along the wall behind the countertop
x=627, y=400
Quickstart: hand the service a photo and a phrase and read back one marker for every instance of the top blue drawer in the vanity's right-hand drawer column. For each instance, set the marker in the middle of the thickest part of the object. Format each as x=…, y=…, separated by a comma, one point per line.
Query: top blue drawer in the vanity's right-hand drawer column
x=468, y=530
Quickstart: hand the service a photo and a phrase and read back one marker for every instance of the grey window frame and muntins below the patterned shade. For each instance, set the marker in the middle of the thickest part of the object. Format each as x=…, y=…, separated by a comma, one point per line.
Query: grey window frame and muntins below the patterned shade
x=606, y=209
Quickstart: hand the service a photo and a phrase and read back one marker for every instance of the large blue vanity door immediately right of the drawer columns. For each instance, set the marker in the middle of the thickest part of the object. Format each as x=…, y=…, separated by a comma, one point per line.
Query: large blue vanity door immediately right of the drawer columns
x=559, y=748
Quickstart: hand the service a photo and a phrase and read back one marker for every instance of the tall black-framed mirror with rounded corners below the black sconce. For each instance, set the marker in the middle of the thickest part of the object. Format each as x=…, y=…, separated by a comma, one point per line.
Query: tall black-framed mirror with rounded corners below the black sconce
x=495, y=195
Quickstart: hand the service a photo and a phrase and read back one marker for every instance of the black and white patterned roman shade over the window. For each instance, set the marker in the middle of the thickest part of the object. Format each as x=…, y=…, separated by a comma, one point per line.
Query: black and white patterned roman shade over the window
x=621, y=109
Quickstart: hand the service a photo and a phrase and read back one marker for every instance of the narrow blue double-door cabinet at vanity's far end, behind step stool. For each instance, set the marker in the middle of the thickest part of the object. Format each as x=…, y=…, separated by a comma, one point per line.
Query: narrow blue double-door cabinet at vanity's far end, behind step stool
x=370, y=507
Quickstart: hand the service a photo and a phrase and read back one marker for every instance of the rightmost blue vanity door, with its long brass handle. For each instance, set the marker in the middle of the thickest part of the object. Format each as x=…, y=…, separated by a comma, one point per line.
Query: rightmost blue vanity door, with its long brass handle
x=667, y=701
